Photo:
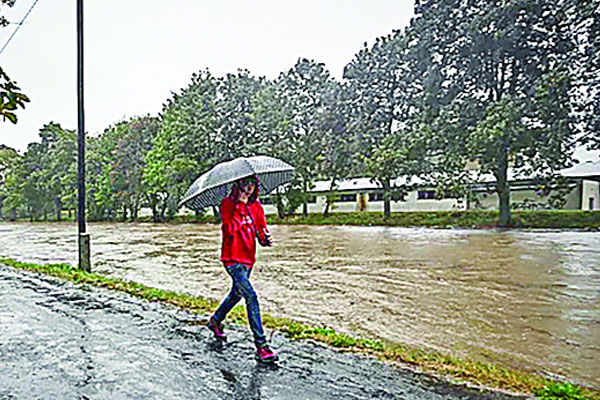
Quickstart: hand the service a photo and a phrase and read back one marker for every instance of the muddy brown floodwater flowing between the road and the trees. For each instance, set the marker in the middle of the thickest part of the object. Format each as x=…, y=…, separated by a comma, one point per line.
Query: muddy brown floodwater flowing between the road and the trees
x=524, y=299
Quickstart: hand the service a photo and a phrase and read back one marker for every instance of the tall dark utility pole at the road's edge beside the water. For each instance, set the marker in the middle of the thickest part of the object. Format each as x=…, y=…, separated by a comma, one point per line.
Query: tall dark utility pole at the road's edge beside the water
x=84, y=238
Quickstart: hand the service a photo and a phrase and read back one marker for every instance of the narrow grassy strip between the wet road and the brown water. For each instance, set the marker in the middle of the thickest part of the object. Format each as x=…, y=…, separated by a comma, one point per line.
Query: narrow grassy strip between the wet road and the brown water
x=450, y=367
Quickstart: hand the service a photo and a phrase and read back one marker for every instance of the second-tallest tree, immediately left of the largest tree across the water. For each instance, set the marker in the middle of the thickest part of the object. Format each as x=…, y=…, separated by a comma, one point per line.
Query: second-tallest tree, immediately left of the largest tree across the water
x=381, y=85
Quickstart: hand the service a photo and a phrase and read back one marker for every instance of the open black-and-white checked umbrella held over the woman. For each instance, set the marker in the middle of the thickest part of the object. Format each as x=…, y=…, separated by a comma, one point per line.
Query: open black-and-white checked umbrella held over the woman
x=210, y=188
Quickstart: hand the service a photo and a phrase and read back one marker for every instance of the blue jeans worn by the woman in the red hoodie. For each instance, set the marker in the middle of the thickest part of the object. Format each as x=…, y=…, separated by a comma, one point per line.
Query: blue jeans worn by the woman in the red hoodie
x=241, y=287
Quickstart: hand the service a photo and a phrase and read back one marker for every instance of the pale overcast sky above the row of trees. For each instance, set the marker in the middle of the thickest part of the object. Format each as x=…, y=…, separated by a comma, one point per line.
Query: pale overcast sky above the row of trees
x=138, y=52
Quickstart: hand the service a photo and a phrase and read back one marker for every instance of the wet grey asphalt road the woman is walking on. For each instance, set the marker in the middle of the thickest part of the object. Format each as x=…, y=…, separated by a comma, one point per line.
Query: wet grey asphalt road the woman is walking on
x=62, y=341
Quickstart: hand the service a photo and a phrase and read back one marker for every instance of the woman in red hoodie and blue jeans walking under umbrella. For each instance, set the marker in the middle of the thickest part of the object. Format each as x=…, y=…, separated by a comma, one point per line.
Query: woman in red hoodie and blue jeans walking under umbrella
x=243, y=222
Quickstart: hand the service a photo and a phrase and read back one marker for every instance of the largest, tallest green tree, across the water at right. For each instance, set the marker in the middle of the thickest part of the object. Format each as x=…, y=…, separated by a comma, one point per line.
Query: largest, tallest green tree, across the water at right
x=502, y=68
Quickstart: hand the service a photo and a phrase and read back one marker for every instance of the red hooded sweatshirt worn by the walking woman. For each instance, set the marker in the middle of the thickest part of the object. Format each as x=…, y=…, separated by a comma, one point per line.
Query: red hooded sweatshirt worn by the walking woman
x=239, y=232
